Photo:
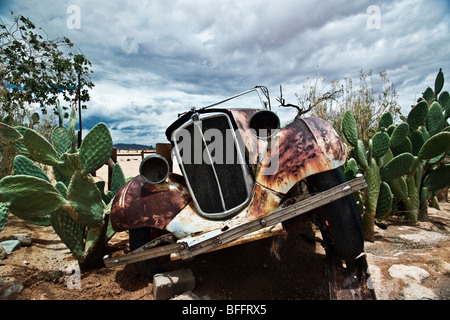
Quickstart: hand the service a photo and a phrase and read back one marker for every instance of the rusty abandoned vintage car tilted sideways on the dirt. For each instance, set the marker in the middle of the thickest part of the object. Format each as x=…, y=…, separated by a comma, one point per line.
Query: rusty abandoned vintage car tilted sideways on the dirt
x=243, y=178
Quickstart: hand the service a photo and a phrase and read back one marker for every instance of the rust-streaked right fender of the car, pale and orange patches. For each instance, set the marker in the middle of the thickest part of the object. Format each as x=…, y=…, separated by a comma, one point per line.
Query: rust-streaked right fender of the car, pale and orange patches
x=304, y=147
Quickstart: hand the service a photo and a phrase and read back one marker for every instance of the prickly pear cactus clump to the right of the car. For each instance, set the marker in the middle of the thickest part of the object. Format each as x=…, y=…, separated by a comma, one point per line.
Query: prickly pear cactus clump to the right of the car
x=409, y=155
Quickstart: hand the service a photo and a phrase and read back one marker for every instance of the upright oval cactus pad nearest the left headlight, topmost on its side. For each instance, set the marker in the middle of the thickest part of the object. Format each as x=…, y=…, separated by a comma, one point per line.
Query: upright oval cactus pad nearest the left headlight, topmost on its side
x=96, y=148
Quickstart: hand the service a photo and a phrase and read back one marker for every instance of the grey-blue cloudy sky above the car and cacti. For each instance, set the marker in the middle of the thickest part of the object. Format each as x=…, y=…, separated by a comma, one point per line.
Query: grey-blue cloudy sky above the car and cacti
x=153, y=59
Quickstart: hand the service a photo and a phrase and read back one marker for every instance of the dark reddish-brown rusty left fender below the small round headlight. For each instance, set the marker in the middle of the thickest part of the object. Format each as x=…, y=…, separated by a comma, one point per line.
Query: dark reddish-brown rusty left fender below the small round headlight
x=139, y=204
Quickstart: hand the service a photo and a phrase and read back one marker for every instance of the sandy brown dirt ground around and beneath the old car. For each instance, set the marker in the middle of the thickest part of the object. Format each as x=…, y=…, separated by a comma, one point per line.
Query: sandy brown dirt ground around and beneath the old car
x=47, y=270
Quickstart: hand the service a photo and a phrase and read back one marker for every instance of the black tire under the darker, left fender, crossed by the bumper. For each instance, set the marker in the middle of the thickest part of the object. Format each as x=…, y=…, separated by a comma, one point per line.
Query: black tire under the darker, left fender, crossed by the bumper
x=137, y=238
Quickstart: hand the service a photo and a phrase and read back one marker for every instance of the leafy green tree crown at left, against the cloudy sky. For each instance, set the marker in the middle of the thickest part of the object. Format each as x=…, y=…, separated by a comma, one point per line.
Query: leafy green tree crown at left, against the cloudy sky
x=38, y=70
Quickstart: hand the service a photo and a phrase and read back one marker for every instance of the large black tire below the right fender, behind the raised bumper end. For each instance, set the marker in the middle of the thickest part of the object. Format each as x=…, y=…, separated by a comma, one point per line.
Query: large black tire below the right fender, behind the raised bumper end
x=345, y=236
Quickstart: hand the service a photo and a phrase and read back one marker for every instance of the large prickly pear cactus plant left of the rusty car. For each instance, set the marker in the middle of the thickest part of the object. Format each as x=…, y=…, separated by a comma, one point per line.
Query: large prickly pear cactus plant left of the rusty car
x=75, y=207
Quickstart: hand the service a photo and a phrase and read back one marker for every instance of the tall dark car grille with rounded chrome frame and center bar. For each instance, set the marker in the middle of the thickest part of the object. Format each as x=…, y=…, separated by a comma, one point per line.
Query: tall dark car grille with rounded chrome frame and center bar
x=213, y=165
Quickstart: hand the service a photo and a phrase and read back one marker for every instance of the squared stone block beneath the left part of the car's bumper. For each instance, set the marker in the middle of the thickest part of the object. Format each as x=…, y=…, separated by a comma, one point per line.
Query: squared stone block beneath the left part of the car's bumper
x=169, y=284
